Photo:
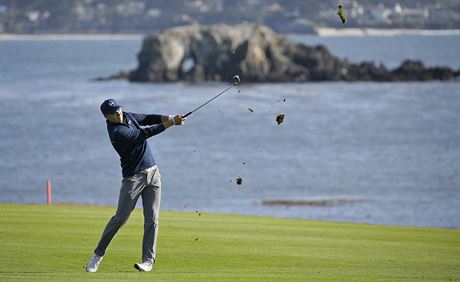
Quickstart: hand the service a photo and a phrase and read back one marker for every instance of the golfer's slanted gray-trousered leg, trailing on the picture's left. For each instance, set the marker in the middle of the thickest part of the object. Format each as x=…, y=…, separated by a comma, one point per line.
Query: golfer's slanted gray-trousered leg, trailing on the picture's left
x=129, y=193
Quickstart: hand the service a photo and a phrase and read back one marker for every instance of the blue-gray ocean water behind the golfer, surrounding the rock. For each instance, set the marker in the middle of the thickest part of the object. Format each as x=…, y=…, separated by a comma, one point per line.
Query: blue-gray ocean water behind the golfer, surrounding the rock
x=383, y=153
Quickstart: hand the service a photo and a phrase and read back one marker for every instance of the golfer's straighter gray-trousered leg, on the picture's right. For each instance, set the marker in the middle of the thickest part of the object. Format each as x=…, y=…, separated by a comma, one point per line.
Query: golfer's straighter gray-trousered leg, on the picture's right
x=151, y=203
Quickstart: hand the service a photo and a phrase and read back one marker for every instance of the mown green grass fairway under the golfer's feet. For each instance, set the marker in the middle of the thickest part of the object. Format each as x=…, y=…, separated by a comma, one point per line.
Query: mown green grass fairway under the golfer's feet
x=54, y=243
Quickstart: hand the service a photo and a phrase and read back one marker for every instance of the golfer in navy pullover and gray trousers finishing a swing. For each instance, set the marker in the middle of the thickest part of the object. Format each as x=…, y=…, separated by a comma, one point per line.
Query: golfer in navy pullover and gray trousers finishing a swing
x=141, y=177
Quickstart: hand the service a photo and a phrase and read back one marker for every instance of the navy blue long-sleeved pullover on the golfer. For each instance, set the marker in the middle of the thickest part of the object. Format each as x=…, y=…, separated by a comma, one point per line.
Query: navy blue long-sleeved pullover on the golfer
x=130, y=141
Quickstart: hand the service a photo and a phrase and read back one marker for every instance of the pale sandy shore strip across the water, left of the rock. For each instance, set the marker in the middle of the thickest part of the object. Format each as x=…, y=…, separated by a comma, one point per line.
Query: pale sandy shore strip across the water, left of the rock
x=79, y=37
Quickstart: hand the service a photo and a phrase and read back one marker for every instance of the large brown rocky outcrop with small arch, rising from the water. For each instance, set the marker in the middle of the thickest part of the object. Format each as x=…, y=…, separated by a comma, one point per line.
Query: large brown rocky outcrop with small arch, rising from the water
x=215, y=53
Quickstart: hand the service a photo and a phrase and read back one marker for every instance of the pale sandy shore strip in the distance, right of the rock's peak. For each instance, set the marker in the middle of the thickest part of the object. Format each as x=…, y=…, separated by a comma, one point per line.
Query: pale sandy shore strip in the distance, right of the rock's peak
x=327, y=31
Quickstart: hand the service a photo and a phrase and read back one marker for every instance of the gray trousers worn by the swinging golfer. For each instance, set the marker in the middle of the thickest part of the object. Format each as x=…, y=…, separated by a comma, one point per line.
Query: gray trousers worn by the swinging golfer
x=148, y=185
